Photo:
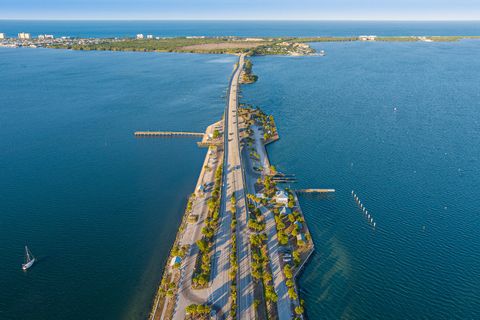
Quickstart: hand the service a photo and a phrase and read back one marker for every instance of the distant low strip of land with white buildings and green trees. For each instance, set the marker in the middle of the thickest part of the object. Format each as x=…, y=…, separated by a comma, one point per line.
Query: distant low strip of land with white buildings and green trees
x=200, y=44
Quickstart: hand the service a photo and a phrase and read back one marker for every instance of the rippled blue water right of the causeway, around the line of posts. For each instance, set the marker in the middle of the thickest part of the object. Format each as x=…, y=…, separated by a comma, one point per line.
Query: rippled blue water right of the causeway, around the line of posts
x=416, y=168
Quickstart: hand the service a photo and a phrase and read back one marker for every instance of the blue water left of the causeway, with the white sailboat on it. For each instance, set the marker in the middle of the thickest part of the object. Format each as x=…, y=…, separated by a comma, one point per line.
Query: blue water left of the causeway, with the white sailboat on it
x=98, y=207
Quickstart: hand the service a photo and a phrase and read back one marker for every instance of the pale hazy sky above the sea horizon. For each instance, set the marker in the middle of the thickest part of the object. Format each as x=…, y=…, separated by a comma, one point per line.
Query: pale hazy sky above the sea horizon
x=242, y=10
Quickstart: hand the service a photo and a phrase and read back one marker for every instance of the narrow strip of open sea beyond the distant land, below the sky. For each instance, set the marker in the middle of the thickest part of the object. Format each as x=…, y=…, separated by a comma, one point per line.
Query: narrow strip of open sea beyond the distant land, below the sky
x=105, y=29
